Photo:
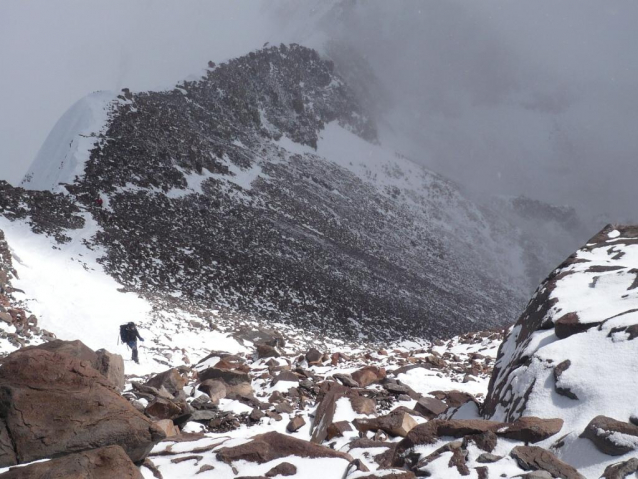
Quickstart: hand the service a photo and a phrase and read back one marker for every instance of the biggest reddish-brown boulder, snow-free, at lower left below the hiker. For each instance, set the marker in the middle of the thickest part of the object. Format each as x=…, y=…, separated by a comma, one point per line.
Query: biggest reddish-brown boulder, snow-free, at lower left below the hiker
x=52, y=403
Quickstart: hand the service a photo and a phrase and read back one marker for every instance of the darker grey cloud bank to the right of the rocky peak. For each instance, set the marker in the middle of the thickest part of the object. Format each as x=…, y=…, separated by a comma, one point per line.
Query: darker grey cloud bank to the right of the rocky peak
x=535, y=98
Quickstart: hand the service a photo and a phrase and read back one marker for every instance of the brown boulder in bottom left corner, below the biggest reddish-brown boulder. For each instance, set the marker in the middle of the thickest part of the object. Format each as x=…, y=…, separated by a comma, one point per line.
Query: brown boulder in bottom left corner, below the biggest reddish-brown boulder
x=104, y=463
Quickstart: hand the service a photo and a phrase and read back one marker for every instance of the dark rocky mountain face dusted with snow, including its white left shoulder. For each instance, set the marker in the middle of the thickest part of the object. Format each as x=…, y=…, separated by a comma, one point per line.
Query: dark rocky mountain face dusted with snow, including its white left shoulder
x=260, y=188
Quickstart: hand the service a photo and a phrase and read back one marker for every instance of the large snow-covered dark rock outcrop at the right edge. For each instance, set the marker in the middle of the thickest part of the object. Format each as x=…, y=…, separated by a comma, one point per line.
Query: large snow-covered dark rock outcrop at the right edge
x=572, y=353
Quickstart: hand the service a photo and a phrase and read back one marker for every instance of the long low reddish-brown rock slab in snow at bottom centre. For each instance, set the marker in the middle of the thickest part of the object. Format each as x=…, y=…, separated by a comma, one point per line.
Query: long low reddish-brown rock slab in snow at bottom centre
x=273, y=445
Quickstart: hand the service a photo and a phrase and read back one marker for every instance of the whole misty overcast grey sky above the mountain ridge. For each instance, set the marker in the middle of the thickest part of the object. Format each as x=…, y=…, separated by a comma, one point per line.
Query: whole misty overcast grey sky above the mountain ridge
x=538, y=98
